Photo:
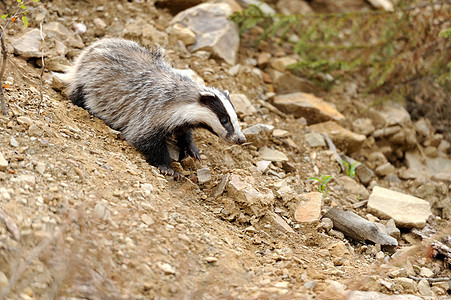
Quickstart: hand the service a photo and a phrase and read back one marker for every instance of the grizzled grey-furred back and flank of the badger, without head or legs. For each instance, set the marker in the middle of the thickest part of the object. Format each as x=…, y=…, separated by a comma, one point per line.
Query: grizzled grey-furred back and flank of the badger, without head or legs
x=128, y=86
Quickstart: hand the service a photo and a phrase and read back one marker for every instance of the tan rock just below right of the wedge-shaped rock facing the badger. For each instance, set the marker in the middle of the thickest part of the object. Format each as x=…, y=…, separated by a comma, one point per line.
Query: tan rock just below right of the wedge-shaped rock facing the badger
x=344, y=139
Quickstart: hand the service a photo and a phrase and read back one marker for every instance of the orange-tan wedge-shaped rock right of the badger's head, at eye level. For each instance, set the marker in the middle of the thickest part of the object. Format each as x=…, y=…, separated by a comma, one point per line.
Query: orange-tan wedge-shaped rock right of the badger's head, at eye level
x=313, y=109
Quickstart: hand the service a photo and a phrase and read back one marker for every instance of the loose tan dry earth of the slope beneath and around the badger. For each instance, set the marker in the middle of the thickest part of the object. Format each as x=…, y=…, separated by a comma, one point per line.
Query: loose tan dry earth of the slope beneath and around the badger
x=97, y=222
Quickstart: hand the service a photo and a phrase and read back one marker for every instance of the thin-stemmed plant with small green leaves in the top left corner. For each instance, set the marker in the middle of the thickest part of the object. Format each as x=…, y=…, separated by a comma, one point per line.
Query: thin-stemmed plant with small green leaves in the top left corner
x=20, y=12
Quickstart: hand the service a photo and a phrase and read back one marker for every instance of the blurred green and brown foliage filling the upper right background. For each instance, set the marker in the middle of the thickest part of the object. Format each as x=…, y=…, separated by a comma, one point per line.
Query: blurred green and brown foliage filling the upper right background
x=388, y=48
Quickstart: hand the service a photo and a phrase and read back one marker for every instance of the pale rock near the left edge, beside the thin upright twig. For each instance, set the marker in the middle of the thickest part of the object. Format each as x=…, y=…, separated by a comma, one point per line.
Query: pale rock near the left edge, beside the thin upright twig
x=29, y=44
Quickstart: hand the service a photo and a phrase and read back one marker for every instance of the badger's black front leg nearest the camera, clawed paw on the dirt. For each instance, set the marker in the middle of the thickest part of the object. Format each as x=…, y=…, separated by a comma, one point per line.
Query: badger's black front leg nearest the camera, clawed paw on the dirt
x=156, y=153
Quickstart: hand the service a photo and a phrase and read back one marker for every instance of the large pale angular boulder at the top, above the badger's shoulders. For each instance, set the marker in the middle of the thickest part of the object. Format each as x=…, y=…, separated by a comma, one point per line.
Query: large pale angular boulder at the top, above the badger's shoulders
x=214, y=31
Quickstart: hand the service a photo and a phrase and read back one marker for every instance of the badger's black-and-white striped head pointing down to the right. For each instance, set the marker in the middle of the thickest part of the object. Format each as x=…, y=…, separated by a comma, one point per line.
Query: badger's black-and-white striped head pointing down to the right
x=221, y=118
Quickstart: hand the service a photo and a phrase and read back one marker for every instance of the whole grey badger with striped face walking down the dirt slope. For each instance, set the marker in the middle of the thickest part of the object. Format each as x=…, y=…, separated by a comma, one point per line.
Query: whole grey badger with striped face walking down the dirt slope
x=134, y=90
